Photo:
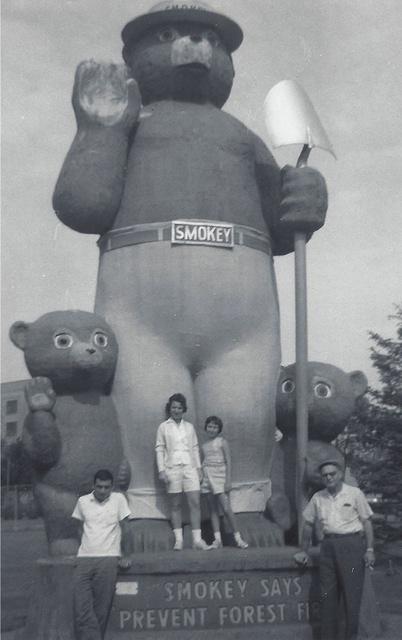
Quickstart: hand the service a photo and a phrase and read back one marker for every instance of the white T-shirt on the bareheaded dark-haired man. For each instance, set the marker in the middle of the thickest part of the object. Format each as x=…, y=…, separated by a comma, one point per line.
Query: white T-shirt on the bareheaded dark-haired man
x=102, y=534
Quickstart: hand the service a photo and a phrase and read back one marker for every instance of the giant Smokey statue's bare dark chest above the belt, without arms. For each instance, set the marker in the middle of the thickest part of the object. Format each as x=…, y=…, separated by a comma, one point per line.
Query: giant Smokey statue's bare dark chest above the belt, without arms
x=190, y=161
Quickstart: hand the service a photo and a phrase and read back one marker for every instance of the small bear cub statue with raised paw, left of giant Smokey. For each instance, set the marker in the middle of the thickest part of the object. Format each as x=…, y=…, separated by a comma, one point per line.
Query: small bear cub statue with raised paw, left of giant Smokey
x=71, y=429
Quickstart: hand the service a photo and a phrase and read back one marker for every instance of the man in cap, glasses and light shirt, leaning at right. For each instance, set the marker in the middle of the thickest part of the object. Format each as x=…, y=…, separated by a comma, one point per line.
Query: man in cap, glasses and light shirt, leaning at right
x=343, y=515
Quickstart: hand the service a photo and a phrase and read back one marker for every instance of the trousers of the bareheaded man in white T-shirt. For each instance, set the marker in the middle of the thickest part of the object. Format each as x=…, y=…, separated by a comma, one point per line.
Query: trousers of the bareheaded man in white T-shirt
x=94, y=587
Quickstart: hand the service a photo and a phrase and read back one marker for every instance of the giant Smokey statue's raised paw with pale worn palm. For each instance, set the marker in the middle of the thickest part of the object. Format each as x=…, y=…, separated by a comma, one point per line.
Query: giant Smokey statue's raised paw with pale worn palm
x=104, y=94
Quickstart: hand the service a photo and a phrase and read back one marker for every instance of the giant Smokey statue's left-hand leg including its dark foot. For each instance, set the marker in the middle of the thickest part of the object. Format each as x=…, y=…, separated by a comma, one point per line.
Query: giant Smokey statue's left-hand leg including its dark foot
x=142, y=386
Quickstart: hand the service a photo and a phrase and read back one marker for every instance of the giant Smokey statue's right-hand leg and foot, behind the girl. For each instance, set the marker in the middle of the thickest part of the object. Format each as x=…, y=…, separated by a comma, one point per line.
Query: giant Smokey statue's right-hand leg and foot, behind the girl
x=239, y=385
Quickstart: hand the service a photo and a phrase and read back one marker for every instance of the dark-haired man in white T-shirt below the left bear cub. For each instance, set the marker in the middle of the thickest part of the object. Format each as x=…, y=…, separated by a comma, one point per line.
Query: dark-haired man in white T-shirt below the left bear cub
x=102, y=514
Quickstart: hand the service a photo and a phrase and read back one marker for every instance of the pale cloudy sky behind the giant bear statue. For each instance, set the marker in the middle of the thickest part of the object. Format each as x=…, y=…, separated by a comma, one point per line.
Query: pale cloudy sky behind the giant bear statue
x=347, y=56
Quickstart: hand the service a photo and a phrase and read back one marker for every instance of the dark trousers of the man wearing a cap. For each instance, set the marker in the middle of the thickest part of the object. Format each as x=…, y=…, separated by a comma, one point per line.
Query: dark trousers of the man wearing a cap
x=341, y=573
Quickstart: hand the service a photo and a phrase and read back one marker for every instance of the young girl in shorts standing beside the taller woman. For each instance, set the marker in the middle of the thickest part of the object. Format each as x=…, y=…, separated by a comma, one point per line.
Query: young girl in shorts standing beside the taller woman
x=216, y=482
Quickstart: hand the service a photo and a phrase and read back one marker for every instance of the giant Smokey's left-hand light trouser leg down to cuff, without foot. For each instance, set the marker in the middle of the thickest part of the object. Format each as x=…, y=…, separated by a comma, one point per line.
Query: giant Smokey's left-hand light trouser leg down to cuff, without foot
x=148, y=373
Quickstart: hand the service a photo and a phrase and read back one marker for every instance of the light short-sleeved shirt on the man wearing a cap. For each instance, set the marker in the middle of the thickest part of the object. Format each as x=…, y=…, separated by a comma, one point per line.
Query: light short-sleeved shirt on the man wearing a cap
x=343, y=513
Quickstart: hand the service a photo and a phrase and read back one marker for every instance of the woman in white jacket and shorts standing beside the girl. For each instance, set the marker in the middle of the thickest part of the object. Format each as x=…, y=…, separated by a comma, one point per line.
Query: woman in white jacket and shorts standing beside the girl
x=179, y=466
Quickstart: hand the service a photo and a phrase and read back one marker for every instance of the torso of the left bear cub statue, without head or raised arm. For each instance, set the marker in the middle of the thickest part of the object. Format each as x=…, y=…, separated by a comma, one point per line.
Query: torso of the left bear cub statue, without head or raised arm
x=90, y=437
